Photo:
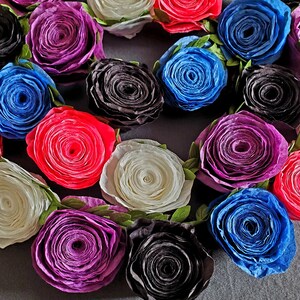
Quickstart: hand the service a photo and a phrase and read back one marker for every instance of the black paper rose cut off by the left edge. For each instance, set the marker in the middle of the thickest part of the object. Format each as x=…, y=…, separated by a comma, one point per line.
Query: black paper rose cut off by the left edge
x=11, y=36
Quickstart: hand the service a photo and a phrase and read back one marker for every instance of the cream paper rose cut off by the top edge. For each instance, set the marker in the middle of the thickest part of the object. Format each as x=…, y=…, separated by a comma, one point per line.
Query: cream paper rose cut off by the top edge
x=122, y=17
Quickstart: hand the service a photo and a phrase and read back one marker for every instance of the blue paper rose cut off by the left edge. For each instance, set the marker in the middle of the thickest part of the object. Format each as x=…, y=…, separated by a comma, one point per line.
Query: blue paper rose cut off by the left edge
x=27, y=94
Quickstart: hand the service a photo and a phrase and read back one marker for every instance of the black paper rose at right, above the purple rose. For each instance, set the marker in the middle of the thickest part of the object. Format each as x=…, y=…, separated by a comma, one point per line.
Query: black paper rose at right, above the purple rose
x=272, y=92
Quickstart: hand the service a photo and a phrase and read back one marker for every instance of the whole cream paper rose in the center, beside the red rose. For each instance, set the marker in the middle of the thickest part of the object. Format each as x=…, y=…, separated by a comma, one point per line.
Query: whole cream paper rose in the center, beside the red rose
x=143, y=176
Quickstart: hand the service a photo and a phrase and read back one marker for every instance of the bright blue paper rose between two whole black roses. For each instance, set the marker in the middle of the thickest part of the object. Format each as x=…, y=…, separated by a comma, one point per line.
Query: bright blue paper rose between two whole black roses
x=192, y=77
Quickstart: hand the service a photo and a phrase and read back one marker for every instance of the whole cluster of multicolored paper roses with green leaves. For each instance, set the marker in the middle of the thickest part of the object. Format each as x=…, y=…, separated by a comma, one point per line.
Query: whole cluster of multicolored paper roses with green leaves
x=251, y=156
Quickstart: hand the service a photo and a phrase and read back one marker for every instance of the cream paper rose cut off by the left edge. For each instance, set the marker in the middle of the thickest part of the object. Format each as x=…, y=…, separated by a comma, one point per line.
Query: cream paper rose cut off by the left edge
x=23, y=199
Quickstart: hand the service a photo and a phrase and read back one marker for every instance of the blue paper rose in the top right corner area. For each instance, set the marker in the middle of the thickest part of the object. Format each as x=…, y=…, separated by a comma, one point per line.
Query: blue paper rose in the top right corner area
x=255, y=30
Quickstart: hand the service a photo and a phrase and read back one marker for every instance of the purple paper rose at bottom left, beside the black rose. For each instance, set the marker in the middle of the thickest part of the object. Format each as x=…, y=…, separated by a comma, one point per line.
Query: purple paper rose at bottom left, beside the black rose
x=78, y=252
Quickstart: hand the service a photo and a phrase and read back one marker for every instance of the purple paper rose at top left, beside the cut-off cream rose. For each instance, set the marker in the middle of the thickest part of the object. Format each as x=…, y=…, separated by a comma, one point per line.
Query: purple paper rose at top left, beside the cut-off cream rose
x=63, y=38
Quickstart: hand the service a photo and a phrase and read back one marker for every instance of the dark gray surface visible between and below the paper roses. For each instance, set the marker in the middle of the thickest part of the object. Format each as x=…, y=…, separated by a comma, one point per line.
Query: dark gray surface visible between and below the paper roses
x=18, y=279
